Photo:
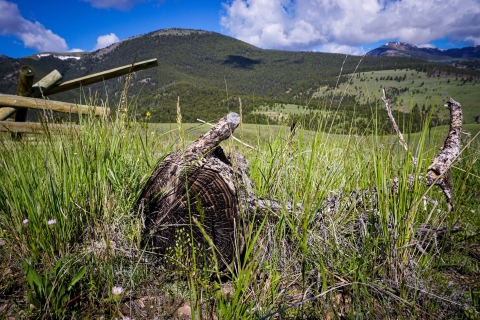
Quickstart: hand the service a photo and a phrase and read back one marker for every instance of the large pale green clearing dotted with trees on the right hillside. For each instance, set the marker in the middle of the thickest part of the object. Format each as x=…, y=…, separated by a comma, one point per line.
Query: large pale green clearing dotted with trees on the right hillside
x=412, y=88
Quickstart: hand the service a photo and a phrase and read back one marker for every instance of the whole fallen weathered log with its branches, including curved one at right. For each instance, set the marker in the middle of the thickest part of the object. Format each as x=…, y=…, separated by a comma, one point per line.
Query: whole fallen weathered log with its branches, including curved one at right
x=202, y=191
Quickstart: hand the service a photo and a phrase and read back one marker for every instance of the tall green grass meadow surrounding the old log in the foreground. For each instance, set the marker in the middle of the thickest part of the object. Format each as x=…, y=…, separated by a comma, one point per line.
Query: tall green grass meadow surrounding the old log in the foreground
x=357, y=263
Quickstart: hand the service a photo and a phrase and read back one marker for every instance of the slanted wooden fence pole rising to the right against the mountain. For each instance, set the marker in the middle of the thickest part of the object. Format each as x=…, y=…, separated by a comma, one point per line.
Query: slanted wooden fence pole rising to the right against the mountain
x=101, y=76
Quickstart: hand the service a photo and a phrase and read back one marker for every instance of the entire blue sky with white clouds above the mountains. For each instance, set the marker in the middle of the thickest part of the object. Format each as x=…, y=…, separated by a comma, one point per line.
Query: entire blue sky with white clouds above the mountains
x=339, y=26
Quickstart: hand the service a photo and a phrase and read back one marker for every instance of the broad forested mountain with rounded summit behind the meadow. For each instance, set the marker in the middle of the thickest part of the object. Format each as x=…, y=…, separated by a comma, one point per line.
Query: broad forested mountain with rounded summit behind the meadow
x=207, y=70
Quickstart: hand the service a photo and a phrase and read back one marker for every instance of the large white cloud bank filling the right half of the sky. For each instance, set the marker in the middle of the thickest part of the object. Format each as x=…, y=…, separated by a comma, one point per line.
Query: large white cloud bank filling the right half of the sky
x=347, y=25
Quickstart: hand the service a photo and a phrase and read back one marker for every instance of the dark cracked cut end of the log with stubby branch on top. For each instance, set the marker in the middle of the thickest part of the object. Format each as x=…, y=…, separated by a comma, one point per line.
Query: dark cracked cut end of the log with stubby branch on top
x=191, y=201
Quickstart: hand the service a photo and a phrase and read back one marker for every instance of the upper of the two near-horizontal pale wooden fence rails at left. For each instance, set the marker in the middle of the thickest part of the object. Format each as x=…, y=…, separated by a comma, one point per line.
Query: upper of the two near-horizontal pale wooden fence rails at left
x=23, y=102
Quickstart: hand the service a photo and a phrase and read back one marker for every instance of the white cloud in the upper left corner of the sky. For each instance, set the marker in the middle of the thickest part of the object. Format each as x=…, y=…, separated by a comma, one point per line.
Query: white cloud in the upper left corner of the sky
x=33, y=34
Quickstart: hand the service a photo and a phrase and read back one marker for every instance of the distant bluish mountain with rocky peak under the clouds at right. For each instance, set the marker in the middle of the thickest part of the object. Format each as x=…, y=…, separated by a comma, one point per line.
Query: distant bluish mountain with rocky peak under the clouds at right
x=400, y=49
